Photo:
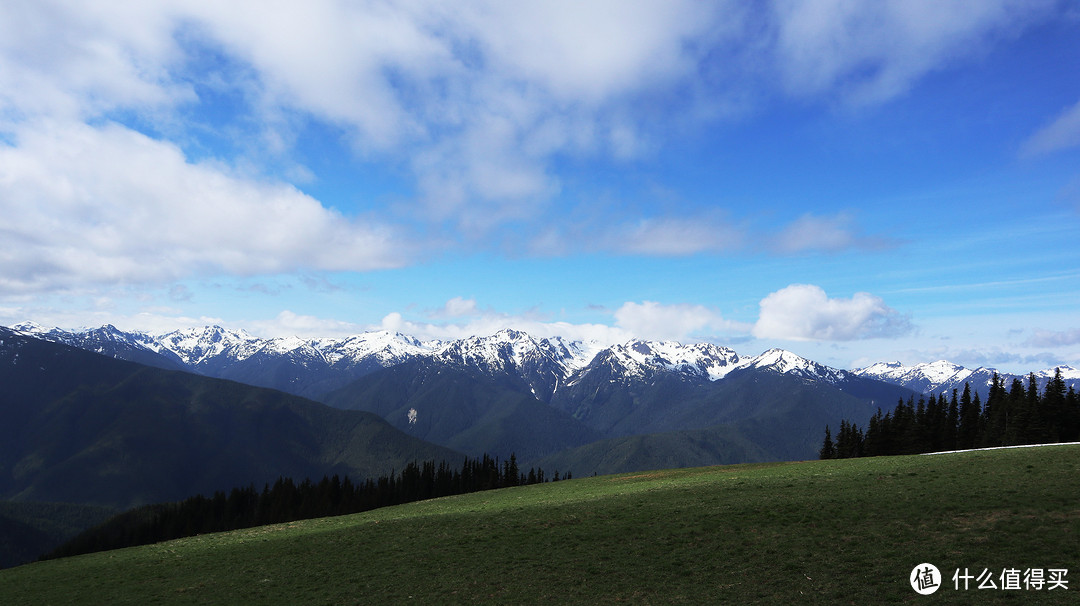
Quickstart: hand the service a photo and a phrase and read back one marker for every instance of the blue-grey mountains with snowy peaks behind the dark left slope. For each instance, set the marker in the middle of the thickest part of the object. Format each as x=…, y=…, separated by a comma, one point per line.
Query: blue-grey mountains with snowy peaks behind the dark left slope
x=512, y=393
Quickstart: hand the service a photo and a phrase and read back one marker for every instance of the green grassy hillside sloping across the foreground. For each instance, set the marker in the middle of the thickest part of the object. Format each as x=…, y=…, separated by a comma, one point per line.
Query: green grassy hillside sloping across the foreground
x=843, y=532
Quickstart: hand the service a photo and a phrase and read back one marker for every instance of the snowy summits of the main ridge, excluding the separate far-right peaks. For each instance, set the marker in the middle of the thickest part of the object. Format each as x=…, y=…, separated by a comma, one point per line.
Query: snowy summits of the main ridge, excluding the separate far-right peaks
x=543, y=363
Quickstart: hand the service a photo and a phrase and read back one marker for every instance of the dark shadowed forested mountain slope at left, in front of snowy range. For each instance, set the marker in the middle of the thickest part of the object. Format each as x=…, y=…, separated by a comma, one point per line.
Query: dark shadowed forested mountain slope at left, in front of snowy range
x=78, y=427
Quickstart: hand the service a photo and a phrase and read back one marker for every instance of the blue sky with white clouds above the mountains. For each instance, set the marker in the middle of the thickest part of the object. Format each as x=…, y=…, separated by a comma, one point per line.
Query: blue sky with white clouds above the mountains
x=854, y=182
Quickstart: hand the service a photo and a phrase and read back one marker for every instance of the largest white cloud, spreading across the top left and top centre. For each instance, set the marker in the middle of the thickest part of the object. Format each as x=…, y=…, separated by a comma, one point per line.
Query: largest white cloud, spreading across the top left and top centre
x=475, y=99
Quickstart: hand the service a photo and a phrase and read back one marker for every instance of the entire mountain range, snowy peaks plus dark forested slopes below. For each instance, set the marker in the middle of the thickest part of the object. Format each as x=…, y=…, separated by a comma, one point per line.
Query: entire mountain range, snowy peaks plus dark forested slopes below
x=109, y=419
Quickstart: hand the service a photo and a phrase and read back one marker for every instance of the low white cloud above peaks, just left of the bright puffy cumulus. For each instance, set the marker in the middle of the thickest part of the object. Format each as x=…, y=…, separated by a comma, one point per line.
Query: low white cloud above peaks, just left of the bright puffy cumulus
x=651, y=320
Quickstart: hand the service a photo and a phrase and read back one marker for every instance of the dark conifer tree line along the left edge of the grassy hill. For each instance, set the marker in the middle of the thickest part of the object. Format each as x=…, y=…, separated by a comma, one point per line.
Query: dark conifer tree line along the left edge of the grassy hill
x=287, y=501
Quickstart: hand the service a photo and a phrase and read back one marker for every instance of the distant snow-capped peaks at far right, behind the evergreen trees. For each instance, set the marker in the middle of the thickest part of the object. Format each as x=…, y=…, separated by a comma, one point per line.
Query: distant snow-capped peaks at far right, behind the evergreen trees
x=936, y=378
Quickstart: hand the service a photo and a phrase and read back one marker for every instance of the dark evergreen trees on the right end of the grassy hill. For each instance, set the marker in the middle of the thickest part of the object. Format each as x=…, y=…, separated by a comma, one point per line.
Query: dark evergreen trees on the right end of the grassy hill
x=1014, y=416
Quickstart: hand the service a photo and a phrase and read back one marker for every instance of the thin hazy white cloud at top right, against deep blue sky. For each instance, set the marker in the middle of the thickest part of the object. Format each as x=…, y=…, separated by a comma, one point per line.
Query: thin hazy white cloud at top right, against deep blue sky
x=870, y=52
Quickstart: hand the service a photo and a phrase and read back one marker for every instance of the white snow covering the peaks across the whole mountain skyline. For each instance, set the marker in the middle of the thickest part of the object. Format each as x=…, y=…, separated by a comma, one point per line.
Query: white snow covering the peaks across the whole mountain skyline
x=562, y=361
